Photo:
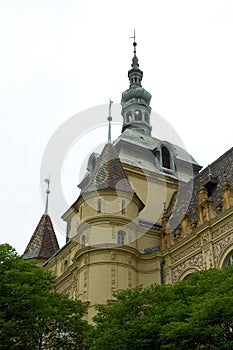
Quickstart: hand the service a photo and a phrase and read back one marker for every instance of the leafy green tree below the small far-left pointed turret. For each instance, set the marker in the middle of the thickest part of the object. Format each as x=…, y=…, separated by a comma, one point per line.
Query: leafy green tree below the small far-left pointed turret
x=31, y=315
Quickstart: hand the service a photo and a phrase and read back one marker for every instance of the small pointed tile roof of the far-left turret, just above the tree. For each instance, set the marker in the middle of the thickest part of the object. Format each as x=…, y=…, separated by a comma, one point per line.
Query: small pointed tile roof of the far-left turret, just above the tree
x=43, y=243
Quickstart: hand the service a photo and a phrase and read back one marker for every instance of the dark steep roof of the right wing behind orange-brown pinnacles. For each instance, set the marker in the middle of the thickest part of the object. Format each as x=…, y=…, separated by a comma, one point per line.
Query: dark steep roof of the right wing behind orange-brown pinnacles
x=212, y=178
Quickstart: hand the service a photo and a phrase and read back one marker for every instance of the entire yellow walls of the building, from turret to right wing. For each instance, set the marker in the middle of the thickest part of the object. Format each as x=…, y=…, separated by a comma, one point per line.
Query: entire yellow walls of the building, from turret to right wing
x=94, y=270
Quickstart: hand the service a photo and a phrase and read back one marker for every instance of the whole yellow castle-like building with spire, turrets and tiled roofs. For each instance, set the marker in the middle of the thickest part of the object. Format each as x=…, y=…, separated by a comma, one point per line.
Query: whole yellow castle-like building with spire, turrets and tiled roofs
x=146, y=213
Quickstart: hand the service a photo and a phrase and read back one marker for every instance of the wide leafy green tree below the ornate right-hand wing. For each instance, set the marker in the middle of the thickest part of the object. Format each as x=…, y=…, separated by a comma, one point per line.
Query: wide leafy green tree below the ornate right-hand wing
x=193, y=314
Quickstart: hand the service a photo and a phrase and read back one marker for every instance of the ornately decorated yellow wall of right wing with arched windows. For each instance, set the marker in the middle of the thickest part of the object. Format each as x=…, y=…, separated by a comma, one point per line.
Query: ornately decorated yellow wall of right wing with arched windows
x=208, y=246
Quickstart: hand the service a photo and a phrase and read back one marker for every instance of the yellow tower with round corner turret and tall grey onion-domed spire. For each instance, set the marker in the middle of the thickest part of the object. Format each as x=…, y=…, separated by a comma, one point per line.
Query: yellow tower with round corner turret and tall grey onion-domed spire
x=114, y=227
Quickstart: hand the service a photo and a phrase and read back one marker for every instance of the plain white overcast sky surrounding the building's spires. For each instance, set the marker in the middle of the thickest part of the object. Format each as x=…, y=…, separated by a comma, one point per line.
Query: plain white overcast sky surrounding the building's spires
x=61, y=57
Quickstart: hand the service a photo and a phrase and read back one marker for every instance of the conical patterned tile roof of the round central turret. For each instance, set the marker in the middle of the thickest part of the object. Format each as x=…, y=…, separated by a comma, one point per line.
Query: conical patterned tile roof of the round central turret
x=108, y=173
